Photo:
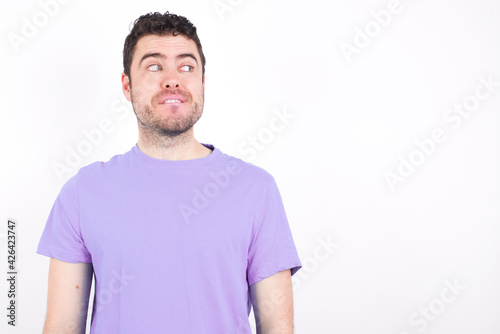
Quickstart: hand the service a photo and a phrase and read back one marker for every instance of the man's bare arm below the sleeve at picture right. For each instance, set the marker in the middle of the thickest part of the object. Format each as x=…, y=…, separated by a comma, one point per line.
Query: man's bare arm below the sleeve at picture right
x=272, y=300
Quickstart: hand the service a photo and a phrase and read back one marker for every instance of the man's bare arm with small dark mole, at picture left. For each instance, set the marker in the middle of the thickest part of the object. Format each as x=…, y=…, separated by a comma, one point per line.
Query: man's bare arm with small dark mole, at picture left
x=68, y=297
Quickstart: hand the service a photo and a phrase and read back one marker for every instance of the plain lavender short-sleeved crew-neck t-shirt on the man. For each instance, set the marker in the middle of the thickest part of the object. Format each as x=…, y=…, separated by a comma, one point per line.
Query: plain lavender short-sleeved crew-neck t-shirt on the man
x=175, y=245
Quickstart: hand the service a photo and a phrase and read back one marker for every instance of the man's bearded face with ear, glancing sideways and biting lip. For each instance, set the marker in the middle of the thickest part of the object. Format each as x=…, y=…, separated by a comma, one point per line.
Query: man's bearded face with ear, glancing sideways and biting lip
x=166, y=85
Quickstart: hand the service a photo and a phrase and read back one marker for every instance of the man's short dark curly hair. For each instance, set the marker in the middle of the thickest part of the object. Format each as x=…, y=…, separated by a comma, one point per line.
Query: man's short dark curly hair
x=162, y=25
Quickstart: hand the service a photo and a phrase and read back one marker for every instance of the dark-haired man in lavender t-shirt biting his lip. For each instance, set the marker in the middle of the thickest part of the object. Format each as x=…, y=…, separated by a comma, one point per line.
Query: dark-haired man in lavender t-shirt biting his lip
x=180, y=237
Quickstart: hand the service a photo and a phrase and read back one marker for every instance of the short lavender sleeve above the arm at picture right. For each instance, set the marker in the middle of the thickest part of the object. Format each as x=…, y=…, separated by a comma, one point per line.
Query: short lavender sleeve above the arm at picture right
x=272, y=248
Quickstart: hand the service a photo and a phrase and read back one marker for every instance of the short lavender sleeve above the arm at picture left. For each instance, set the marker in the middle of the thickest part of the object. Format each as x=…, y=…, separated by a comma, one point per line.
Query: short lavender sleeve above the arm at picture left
x=62, y=238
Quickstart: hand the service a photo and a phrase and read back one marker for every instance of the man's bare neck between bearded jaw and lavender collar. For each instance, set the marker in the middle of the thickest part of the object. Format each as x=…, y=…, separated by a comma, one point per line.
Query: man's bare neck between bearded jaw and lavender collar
x=181, y=147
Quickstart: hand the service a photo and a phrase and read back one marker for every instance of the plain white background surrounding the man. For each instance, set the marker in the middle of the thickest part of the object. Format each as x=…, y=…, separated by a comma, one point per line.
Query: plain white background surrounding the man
x=354, y=119
